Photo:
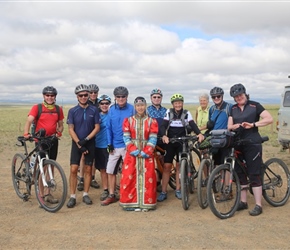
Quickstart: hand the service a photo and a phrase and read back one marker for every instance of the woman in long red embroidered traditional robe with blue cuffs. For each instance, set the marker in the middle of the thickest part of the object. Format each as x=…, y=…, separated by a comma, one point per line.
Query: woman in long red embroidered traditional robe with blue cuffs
x=138, y=182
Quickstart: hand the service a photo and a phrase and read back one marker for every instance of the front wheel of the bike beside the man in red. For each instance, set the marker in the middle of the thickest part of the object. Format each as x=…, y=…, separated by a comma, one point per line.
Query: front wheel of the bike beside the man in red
x=53, y=196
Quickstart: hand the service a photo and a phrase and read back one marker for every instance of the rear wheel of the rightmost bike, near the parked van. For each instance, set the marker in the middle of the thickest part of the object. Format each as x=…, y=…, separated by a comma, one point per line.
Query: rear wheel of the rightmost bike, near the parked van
x=276, y=182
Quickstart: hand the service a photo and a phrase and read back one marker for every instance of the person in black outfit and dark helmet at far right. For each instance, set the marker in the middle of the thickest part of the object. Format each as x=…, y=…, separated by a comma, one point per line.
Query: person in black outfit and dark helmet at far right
x=245, y=118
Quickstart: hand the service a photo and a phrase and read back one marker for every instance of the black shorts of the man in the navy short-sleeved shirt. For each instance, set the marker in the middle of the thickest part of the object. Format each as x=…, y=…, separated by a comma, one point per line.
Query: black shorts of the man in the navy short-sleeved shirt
x=76, y=155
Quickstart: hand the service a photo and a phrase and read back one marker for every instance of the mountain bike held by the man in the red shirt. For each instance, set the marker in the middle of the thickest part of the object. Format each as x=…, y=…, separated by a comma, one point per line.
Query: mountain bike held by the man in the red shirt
x=46, y=175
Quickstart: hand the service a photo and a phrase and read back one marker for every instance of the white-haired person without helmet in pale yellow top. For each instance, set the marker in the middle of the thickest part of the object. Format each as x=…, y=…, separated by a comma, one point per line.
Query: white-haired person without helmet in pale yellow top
x=201, y=116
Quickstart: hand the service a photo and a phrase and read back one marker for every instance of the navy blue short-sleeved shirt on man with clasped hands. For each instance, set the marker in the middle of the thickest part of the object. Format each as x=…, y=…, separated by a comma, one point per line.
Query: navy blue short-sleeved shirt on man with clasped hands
x=83, y=119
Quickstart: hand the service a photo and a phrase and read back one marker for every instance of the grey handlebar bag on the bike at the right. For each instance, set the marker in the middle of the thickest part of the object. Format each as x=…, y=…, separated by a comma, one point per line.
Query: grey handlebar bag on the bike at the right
x=221, y=138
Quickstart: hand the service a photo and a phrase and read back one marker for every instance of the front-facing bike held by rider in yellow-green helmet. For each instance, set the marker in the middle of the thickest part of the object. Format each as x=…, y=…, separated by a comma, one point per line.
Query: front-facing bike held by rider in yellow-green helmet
x=188, y=171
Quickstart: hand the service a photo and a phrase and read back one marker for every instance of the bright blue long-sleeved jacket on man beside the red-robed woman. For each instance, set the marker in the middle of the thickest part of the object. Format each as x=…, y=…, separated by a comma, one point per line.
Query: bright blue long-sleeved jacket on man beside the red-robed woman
x=116, y=116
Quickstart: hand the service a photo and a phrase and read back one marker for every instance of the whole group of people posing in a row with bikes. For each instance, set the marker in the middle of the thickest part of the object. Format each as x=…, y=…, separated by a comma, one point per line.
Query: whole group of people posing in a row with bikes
x=103, y=132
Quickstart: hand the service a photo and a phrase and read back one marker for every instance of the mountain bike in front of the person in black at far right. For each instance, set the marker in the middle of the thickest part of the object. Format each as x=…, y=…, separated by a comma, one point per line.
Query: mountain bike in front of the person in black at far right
x=224, y=199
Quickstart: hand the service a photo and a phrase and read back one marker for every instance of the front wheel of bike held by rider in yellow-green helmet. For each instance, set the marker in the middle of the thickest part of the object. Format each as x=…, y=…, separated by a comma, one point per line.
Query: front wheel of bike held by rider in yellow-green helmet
x=184, y=183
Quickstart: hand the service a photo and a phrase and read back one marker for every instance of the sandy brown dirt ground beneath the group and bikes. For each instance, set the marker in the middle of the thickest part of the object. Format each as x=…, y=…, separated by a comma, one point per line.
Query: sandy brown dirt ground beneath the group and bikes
x=25, y=226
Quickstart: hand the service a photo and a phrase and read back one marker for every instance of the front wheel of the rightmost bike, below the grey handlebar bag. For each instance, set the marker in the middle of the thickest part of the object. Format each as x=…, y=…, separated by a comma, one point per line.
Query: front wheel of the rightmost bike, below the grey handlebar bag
x=223, y=191
